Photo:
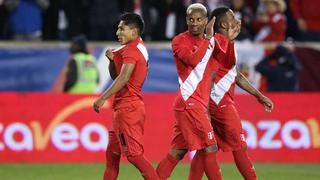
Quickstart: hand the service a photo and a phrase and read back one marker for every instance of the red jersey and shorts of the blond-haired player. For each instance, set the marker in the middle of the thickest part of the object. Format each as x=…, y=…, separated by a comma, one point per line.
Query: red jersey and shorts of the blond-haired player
x=193, y=58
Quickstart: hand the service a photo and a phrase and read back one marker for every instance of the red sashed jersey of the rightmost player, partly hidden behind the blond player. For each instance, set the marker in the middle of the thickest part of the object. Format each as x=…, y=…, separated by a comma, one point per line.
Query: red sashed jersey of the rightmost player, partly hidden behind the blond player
x=222, y=91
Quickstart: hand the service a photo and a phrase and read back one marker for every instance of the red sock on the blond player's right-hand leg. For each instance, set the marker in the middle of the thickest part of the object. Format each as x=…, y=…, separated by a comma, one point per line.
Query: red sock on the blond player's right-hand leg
x=211, y=167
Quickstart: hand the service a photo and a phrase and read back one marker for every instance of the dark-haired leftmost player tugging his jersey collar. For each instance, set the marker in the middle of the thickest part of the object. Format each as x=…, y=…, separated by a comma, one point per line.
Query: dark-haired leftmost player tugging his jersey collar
x=128, y=67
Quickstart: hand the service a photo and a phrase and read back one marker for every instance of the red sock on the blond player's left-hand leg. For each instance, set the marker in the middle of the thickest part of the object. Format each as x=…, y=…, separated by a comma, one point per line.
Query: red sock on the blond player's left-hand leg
x=166, y=167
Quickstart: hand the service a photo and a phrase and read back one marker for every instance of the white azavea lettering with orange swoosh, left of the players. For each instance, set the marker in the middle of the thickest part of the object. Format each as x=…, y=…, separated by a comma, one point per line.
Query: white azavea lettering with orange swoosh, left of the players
x=64, y=136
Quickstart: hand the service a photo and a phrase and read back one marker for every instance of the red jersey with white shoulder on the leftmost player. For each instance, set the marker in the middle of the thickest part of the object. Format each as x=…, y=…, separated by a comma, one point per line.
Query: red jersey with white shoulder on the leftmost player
x=133, y=53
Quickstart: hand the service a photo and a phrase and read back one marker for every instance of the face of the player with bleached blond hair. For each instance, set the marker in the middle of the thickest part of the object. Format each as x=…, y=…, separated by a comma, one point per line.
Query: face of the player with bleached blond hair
x=196, y=22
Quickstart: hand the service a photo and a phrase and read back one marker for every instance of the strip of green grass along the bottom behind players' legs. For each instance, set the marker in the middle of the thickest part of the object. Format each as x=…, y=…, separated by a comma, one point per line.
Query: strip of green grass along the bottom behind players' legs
x=128, y=172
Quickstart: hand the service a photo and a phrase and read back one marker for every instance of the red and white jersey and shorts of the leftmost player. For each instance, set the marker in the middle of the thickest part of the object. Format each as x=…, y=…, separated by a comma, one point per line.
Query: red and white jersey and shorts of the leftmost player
x=129, y=111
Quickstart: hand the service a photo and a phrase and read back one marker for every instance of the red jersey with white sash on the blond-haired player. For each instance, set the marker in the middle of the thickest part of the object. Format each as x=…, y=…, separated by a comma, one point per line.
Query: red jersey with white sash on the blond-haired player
x=192, y=57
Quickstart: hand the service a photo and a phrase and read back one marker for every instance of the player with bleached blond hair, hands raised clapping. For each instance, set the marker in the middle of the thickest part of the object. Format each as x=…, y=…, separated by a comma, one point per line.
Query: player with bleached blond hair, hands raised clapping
x=192, y=52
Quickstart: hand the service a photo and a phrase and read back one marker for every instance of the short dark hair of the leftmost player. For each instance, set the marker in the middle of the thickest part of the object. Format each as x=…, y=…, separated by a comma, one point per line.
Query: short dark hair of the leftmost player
x=132, y=19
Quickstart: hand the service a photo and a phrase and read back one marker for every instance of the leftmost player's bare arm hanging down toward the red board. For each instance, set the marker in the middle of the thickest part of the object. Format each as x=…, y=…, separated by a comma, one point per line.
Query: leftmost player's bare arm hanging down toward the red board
x=120, y=81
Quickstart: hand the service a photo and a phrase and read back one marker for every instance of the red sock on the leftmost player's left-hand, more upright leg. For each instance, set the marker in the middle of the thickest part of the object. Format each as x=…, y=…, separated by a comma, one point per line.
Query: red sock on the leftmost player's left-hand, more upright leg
x=112, y=168
